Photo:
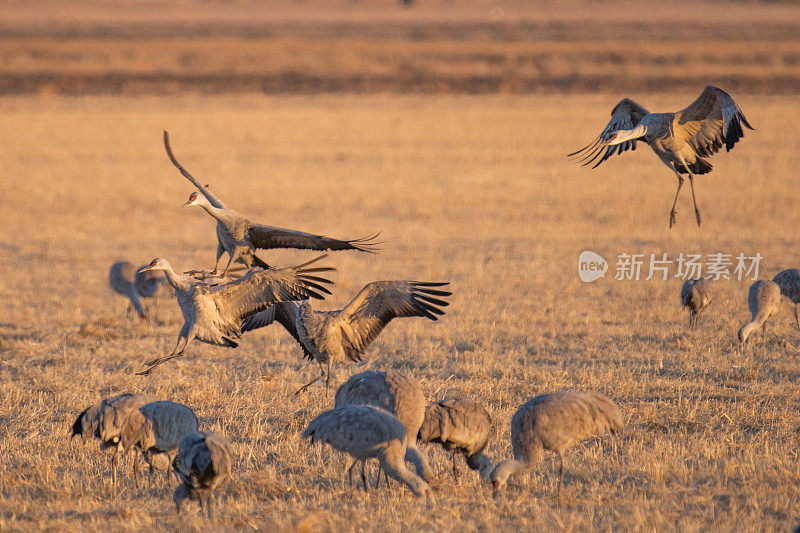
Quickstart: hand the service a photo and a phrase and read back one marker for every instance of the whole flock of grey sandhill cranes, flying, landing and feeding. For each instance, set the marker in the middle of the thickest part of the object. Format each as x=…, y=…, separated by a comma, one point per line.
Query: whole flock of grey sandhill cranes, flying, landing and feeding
x=381, y=415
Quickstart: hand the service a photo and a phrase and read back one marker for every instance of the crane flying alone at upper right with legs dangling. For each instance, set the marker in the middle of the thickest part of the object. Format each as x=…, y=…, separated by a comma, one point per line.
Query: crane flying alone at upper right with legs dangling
x=681, y=140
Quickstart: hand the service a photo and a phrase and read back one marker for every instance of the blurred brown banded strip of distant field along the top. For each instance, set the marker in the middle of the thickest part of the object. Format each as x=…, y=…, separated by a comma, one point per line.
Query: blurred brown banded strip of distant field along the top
x=506, y=47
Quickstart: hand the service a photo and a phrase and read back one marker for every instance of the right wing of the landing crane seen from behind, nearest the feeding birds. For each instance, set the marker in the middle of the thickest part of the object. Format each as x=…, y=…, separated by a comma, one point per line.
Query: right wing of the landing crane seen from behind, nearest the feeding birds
x=380, y=302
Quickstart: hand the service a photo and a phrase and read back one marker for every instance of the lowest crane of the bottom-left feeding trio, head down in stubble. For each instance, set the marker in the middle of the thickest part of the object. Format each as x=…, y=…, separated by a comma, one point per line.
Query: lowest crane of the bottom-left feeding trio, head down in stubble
x=203, y=465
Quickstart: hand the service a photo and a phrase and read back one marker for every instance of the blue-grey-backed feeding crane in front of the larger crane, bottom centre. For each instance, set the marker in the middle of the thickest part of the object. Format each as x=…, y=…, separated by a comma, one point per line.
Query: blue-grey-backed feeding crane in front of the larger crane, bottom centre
x=364, y=432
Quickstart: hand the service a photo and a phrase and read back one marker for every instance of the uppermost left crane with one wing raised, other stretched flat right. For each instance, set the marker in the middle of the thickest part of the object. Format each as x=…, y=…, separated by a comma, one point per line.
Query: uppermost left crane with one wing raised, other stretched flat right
x=239, y=237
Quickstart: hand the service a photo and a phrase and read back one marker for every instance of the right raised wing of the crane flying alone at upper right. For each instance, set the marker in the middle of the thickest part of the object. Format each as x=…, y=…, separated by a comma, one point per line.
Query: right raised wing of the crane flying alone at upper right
x=709, y=121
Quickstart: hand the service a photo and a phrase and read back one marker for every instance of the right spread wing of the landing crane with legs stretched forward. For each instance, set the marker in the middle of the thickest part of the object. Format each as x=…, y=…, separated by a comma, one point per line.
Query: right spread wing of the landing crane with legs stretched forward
x=259, y=289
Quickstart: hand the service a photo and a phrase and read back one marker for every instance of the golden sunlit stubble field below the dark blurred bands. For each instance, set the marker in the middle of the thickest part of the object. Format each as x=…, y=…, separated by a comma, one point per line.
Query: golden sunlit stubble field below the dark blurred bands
x=472, y=190
